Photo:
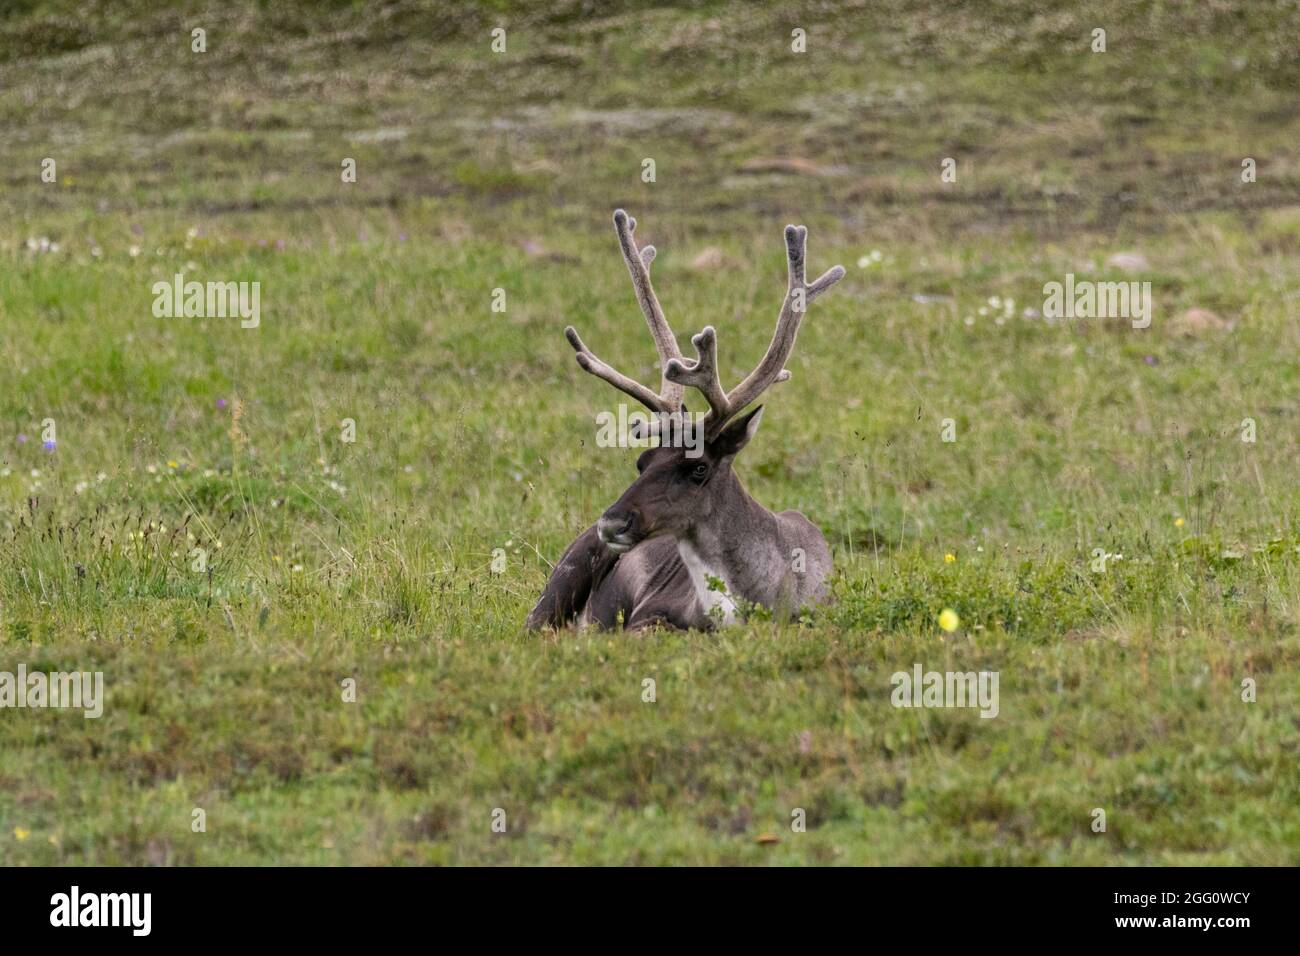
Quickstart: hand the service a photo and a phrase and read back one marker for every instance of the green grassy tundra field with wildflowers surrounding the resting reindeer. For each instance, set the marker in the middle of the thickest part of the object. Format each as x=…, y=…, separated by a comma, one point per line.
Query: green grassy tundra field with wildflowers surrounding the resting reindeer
x=372, y=561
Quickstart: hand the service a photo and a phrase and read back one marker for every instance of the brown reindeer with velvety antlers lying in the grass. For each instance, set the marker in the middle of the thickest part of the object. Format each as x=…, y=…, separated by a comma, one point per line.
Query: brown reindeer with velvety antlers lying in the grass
x=686, y=546
